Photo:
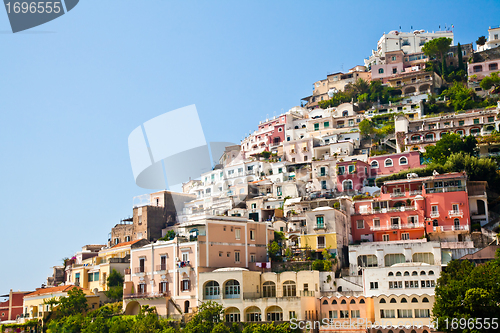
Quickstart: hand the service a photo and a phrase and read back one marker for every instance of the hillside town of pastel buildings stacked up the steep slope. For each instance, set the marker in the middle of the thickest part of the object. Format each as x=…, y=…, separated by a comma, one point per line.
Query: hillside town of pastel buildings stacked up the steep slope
x=348, y=207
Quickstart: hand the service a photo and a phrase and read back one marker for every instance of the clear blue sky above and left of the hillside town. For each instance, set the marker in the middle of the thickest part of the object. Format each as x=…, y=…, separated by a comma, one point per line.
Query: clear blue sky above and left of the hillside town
x=73, y=89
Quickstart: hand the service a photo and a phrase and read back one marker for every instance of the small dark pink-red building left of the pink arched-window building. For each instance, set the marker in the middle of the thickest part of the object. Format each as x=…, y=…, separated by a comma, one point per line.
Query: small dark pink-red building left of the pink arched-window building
x=352, y=175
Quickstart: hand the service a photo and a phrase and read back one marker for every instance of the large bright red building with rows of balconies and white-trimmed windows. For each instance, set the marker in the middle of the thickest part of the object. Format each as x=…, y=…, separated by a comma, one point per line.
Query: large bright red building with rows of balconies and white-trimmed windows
x=411, y=208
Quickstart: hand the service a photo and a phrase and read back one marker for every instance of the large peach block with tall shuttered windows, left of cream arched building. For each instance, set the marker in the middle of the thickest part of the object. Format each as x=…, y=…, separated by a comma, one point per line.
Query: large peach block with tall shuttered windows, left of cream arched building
x=165, y=273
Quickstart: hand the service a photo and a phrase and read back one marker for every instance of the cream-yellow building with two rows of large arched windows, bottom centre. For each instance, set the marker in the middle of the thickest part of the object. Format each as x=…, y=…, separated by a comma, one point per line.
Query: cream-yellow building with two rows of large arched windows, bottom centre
x=254, y=296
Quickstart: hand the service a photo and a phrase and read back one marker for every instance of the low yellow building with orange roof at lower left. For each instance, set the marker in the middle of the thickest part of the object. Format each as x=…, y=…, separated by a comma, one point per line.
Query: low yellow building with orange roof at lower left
x=34, y=303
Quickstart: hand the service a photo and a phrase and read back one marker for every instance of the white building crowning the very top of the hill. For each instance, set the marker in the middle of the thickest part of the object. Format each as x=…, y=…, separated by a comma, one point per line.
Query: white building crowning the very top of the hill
x=408, y=42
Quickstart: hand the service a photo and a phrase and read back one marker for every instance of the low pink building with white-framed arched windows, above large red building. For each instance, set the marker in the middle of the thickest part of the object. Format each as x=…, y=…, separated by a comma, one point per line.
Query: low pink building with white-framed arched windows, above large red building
x=383, y=165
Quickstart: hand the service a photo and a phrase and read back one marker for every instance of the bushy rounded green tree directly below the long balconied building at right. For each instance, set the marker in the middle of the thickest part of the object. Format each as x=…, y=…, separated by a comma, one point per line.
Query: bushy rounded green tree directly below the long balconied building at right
x=448, y=144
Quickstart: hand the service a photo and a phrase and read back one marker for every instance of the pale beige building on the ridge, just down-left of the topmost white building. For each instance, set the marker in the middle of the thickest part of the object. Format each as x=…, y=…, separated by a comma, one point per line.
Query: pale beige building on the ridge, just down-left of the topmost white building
x=334, y=82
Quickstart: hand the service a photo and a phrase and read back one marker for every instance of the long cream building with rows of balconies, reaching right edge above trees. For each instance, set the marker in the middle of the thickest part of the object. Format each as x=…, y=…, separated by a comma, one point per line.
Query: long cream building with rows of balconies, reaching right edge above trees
x=422, y=132
